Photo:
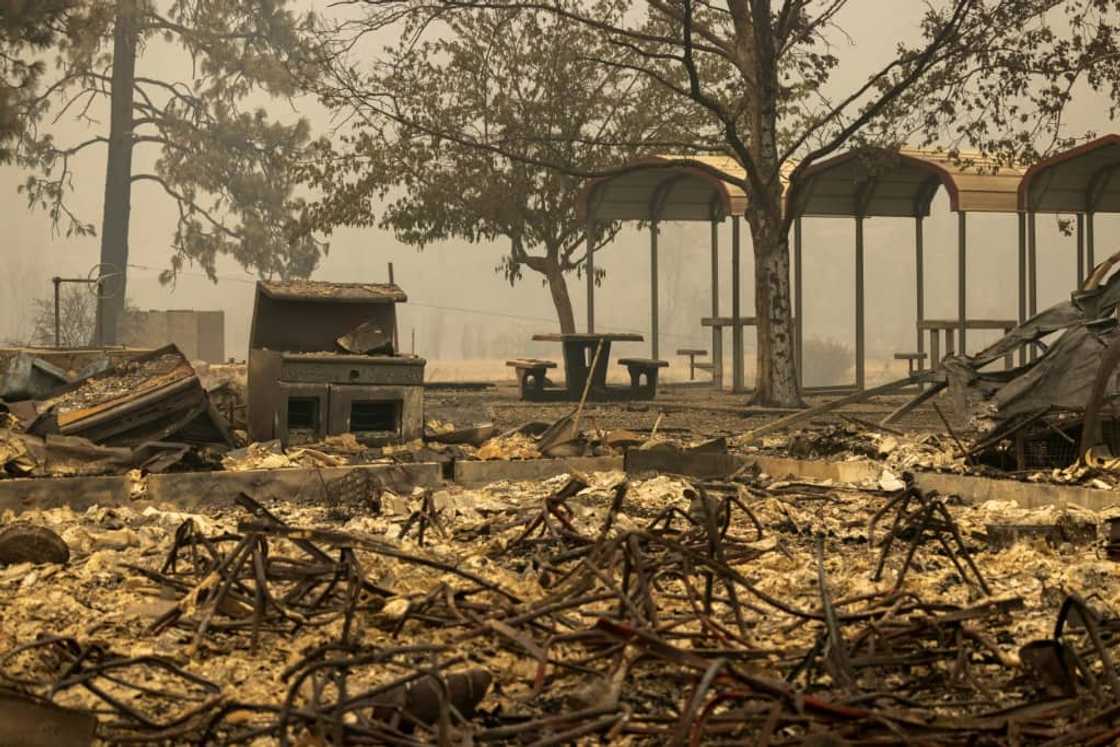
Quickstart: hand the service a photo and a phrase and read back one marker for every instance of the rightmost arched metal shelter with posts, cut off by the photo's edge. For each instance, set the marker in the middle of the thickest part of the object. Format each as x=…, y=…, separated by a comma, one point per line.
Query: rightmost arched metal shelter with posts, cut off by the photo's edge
x=1080, y=181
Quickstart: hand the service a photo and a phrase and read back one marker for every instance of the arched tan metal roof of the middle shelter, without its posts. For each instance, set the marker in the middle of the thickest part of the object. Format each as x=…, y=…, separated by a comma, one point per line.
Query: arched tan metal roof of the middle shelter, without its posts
x=903, y=183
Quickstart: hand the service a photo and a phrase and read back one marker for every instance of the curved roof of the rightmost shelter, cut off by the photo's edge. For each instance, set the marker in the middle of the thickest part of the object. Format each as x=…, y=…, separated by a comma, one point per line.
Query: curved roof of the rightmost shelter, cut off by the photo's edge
x=1077, y=181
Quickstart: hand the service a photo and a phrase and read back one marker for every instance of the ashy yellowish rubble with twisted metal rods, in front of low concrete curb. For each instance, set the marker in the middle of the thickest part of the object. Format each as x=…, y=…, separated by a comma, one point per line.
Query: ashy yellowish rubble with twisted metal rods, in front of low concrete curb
x=585, y=609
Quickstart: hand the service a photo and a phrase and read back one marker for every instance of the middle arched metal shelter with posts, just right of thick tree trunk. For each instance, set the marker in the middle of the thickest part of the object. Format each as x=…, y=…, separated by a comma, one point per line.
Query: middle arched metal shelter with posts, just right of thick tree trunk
x=879, y=183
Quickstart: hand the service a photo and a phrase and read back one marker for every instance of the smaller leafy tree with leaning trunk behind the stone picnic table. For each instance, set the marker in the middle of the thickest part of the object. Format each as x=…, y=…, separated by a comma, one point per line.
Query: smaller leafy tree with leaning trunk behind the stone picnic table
x=454, y=135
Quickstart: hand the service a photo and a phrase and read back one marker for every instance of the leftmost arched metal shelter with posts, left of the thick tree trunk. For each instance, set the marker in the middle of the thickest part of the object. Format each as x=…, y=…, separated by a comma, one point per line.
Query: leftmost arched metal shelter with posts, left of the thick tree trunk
x=675, y=189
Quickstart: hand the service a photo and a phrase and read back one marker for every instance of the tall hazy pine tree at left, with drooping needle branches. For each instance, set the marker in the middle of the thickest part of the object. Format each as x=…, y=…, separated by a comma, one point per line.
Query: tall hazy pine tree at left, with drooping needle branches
x=182, y=81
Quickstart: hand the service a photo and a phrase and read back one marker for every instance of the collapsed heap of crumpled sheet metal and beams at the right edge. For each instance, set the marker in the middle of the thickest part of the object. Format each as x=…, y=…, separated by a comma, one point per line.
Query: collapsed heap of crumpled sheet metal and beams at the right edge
x=1053, y=417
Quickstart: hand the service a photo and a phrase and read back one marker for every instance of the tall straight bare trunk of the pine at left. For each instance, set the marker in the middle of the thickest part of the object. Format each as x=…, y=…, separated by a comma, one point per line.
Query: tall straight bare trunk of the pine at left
x=115, y=226
